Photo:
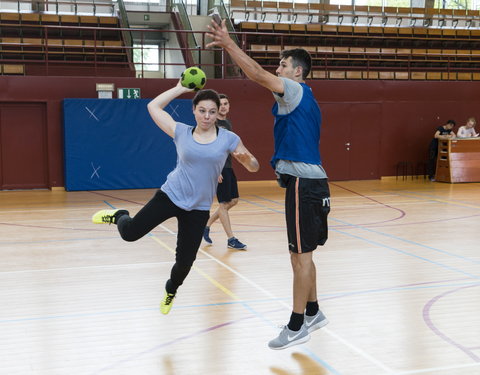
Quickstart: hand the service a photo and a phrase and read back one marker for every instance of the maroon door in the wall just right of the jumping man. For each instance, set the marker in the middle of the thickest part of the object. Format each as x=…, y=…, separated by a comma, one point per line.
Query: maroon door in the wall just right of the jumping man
x=350, y=143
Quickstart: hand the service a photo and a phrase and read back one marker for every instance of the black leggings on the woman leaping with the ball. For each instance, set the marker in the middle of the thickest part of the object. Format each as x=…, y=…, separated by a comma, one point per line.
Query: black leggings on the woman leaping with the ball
x=190, y=231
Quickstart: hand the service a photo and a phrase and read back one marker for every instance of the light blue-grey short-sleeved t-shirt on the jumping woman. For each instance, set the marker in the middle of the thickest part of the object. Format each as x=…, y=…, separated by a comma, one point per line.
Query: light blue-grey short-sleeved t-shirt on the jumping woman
x=193, y=183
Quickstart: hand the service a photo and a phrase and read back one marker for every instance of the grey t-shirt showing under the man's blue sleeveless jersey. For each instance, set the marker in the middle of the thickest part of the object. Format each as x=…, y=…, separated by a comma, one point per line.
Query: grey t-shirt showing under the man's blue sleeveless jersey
x=287, y=103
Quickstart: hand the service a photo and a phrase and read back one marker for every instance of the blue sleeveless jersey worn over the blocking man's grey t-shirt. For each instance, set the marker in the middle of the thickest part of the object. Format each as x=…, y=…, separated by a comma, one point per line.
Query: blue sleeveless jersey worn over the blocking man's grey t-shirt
x=297, y=134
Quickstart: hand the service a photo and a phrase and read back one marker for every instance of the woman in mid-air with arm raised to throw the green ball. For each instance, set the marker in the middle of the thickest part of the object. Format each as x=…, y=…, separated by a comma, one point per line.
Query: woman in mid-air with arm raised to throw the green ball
x=189, y=190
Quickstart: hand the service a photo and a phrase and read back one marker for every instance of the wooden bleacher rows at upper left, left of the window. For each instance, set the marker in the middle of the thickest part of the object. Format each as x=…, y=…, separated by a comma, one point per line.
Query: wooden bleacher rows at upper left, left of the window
x=32, y=39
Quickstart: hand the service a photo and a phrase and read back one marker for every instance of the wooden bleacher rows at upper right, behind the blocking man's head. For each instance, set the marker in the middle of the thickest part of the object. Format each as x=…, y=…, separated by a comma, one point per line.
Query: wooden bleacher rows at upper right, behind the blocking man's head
x=365, y=42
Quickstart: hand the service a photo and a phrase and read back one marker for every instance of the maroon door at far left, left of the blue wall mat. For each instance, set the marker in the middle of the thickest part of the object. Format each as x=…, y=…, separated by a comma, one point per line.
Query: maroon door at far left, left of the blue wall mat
x=23, y=146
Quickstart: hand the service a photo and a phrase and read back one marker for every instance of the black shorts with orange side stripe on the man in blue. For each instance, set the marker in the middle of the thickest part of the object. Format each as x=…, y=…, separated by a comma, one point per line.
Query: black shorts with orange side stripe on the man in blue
x=307, y=204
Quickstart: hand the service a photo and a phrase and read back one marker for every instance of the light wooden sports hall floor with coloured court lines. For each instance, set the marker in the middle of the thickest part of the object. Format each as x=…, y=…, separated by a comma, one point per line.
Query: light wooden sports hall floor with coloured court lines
x=399, y=280
